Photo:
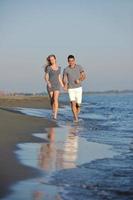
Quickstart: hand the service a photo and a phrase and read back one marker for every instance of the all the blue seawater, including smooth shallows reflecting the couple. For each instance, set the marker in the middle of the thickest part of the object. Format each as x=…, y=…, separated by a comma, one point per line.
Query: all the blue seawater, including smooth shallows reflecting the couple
x=91, y=160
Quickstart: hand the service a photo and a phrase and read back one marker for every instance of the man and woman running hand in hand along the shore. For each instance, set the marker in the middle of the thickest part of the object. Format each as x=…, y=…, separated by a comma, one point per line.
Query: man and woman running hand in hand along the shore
x=73, y=75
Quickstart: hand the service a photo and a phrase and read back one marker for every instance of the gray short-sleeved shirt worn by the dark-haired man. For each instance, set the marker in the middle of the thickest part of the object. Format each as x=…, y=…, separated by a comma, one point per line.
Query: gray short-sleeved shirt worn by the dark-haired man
x=72, y=75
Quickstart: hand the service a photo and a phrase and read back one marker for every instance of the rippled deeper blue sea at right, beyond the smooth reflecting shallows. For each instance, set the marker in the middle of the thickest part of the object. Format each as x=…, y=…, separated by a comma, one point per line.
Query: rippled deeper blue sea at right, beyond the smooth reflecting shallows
x=107, y=119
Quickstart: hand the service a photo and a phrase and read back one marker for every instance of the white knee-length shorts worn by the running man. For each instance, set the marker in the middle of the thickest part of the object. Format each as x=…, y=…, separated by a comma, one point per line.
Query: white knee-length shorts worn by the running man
x=75, y=94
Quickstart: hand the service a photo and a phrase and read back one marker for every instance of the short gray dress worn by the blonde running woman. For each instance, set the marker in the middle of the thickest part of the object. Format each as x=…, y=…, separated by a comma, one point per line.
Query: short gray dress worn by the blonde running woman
x=53, y=78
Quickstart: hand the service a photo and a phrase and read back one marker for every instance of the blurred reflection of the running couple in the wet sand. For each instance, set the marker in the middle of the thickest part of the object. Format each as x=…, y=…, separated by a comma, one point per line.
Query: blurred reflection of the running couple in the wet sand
x=61, y=150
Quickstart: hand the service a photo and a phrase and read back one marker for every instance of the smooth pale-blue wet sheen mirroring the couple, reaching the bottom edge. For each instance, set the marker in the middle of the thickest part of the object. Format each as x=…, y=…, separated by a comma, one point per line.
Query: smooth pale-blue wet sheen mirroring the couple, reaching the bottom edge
x=64, y=150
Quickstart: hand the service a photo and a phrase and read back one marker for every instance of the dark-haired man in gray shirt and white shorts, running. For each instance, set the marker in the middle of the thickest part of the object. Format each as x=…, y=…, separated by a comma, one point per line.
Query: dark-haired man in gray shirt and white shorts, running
x=73, y=75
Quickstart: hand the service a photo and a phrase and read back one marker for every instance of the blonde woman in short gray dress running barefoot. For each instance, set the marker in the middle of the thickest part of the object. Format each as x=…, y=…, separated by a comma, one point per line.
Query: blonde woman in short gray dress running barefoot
x=54, y=81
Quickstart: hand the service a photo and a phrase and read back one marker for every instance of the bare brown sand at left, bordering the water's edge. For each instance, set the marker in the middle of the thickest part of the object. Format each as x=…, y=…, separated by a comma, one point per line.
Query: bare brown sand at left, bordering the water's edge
x=18, y=128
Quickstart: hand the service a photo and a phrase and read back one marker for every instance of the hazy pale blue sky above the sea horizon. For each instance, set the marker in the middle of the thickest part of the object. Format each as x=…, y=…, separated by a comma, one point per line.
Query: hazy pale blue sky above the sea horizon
x=98, y=32
